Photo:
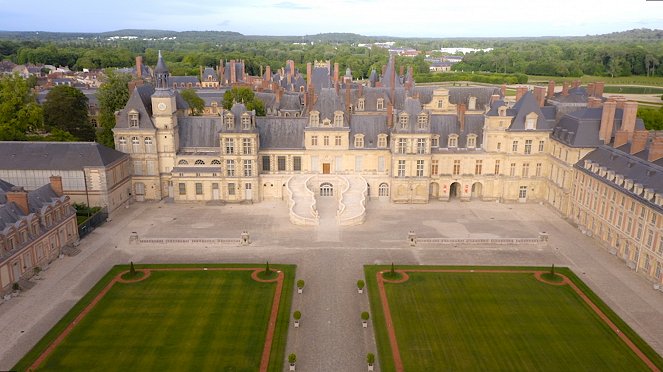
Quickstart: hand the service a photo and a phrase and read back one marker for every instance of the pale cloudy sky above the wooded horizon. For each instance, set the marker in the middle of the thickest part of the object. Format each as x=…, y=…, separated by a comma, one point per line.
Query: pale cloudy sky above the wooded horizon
x=426, y=18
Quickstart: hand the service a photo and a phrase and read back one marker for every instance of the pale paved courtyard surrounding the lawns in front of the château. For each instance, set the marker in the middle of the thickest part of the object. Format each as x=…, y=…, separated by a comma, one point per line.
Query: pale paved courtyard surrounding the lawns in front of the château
x=330, y=259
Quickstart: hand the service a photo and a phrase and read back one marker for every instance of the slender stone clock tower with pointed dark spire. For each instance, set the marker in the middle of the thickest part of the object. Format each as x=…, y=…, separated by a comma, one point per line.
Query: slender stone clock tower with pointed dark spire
x=164, y=116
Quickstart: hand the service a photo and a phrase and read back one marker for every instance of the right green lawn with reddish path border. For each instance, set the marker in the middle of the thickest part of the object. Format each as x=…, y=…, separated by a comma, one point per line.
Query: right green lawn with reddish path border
x=469, y=320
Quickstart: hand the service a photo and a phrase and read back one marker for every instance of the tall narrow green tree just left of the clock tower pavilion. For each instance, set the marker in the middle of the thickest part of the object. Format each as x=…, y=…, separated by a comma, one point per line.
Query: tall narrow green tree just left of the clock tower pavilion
x=113, y=96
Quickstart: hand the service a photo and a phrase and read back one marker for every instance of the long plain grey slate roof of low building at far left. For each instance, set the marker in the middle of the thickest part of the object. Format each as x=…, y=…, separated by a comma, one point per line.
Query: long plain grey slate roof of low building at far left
x=56, y=155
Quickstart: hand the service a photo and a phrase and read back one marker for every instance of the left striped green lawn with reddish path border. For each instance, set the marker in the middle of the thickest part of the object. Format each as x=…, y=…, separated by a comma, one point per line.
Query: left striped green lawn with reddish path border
x=172, y=318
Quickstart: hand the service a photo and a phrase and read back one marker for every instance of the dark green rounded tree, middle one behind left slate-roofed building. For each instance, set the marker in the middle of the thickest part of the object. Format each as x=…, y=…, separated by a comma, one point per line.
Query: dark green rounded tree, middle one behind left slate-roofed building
x=66, y=108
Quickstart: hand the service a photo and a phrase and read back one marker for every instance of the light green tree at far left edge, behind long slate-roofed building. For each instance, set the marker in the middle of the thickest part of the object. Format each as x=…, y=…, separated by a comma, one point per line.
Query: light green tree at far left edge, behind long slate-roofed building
x=19, y=112
